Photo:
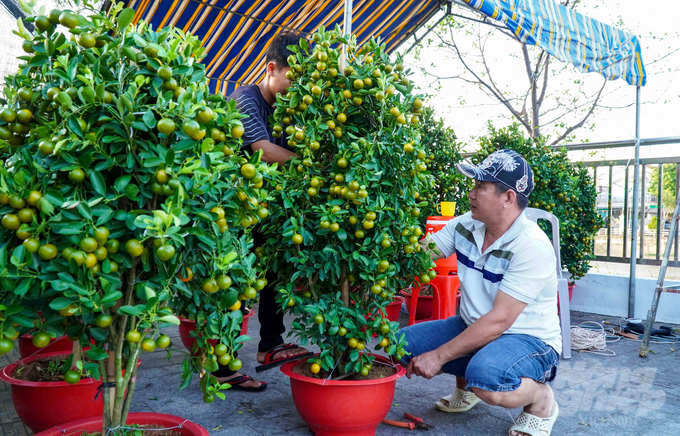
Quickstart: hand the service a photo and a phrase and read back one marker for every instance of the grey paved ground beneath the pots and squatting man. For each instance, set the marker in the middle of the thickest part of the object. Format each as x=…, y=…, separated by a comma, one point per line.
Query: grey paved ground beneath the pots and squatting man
x=598, y=395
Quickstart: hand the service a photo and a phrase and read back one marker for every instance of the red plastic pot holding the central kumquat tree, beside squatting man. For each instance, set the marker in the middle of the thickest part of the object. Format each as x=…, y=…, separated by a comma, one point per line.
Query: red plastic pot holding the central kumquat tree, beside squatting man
x=342, y=408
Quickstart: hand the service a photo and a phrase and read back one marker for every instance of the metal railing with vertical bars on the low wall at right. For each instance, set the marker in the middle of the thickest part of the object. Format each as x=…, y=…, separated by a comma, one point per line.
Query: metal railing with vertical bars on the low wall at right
x=613, y=242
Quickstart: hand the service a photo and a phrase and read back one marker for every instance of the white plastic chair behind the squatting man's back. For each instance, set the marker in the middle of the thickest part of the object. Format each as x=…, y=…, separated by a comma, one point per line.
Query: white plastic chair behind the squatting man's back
x=562, y=284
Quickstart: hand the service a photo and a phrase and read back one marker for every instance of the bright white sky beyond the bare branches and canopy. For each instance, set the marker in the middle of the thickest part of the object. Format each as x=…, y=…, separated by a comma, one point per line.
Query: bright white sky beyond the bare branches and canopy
x=656, y=26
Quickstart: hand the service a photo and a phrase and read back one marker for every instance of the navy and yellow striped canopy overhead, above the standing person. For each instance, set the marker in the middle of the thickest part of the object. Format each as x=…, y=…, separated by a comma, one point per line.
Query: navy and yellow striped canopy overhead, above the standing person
x=237, y=33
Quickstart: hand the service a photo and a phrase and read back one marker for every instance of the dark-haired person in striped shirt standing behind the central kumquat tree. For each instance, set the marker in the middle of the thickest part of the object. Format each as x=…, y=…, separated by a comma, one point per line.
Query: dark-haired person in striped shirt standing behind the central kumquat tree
x=257, y=102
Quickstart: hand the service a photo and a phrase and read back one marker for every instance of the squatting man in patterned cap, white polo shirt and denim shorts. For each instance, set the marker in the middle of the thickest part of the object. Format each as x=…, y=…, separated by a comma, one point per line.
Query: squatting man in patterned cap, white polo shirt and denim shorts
x=505, y=345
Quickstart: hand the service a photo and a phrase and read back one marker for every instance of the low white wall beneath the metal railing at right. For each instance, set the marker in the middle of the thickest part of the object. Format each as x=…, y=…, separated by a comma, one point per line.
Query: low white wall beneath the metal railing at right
x=608, y=295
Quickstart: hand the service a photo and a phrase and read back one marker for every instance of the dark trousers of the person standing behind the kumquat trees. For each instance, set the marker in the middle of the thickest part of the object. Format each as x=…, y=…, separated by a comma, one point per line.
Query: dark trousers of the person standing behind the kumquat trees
x=269, y=315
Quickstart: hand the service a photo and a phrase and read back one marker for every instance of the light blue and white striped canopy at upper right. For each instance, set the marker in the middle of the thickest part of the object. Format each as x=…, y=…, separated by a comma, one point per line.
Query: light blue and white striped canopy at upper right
x=569, y=36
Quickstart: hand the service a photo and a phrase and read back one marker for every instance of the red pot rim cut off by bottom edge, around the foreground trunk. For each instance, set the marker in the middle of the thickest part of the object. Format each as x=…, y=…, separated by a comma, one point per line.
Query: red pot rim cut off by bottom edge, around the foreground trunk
x=180, y=425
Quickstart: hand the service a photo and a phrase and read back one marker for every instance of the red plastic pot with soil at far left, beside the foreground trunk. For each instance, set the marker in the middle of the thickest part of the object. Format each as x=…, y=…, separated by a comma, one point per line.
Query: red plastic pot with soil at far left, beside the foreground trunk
x=41, y=405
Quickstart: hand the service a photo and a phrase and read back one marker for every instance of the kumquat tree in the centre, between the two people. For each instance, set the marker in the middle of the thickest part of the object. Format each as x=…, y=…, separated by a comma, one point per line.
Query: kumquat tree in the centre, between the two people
x=348, y=207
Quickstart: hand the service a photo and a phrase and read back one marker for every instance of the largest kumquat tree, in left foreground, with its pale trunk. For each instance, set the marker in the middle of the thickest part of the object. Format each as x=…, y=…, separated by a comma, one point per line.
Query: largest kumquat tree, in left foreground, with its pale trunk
x=123, y=199
